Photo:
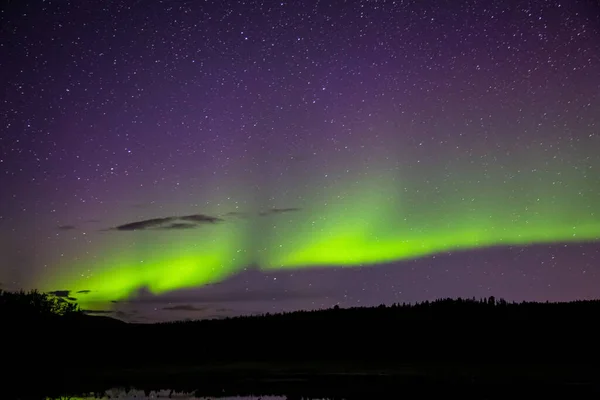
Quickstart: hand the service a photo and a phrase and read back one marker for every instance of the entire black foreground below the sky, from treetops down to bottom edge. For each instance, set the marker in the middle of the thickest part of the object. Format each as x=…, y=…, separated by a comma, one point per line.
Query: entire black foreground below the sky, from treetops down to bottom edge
x=468, y=348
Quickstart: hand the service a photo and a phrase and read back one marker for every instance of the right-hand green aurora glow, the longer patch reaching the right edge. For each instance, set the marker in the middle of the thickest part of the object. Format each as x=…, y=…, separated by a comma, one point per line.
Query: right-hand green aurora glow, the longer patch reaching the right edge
x=382, y=228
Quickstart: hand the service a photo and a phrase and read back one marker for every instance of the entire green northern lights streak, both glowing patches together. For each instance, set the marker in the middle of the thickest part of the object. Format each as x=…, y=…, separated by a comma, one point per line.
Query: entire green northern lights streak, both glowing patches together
x=396, y=228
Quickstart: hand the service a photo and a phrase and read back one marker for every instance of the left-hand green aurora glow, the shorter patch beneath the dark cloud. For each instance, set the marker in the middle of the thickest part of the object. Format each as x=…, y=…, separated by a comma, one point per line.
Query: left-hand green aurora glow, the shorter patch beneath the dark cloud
x=164, y=261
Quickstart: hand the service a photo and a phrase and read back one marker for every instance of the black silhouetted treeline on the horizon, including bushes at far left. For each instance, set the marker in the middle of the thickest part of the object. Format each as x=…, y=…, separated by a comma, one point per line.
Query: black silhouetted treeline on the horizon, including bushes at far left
x=446, y=329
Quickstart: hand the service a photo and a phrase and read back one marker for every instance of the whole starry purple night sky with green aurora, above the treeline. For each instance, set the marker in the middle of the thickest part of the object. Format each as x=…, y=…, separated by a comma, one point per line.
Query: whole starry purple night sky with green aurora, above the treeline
x=198, y=159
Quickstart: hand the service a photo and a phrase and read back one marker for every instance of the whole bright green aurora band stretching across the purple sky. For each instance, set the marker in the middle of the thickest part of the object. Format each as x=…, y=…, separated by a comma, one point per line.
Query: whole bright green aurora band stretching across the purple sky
x=372, y=221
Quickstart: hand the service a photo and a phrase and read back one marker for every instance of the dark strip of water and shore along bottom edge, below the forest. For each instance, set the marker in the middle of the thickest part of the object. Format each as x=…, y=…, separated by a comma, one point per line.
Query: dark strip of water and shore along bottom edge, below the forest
x=469, y=381
